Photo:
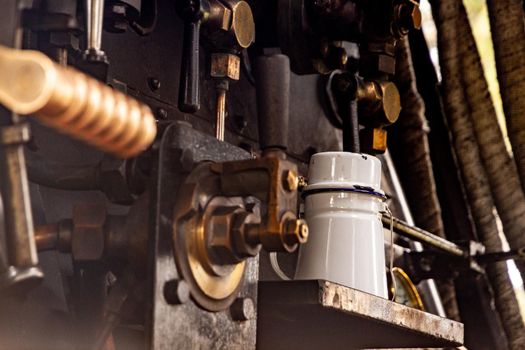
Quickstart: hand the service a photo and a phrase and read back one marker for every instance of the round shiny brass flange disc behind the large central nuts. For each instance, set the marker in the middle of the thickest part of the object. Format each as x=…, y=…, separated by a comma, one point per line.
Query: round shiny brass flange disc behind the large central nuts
x=199, y=196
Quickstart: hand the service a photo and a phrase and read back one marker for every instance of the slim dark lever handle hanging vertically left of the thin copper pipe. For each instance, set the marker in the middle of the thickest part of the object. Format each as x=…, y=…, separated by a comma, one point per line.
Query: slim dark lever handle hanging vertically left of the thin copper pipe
x=189, y=94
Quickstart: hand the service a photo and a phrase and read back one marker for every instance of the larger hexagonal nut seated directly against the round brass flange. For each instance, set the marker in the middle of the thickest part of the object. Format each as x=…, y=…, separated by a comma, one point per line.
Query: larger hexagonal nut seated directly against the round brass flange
x=219, y=231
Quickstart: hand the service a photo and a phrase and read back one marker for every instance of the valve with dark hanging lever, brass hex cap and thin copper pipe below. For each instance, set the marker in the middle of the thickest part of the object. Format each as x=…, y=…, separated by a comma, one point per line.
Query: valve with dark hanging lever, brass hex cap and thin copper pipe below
x=229, y=29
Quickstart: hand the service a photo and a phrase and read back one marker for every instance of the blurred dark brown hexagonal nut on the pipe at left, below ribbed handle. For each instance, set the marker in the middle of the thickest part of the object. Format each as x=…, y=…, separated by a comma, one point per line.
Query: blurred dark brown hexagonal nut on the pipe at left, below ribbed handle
x=87, y=239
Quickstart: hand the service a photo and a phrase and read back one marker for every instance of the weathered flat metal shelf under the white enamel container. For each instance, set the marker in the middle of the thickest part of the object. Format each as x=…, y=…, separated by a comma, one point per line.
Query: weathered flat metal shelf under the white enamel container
x=323, y=315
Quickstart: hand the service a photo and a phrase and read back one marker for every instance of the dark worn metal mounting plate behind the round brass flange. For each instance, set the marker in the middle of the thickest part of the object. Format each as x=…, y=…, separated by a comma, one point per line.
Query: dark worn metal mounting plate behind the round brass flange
x=186, y=326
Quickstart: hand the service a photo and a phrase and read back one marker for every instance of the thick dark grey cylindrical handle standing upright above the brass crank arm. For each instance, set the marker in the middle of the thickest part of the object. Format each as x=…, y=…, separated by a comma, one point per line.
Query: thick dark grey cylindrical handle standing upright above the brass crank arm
x=273, y=100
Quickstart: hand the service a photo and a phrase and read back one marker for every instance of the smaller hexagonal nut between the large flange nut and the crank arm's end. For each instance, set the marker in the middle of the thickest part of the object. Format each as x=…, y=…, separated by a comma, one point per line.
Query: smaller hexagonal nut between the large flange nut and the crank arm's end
x=245, y=234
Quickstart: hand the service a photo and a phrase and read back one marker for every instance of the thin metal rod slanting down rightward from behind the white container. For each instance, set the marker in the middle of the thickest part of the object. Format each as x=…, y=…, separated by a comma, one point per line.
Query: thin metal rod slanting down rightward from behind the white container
x=423, y=236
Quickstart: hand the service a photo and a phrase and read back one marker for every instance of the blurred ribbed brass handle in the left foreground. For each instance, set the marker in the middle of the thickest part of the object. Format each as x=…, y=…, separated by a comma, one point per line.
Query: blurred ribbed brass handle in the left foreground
x=74, y=103
